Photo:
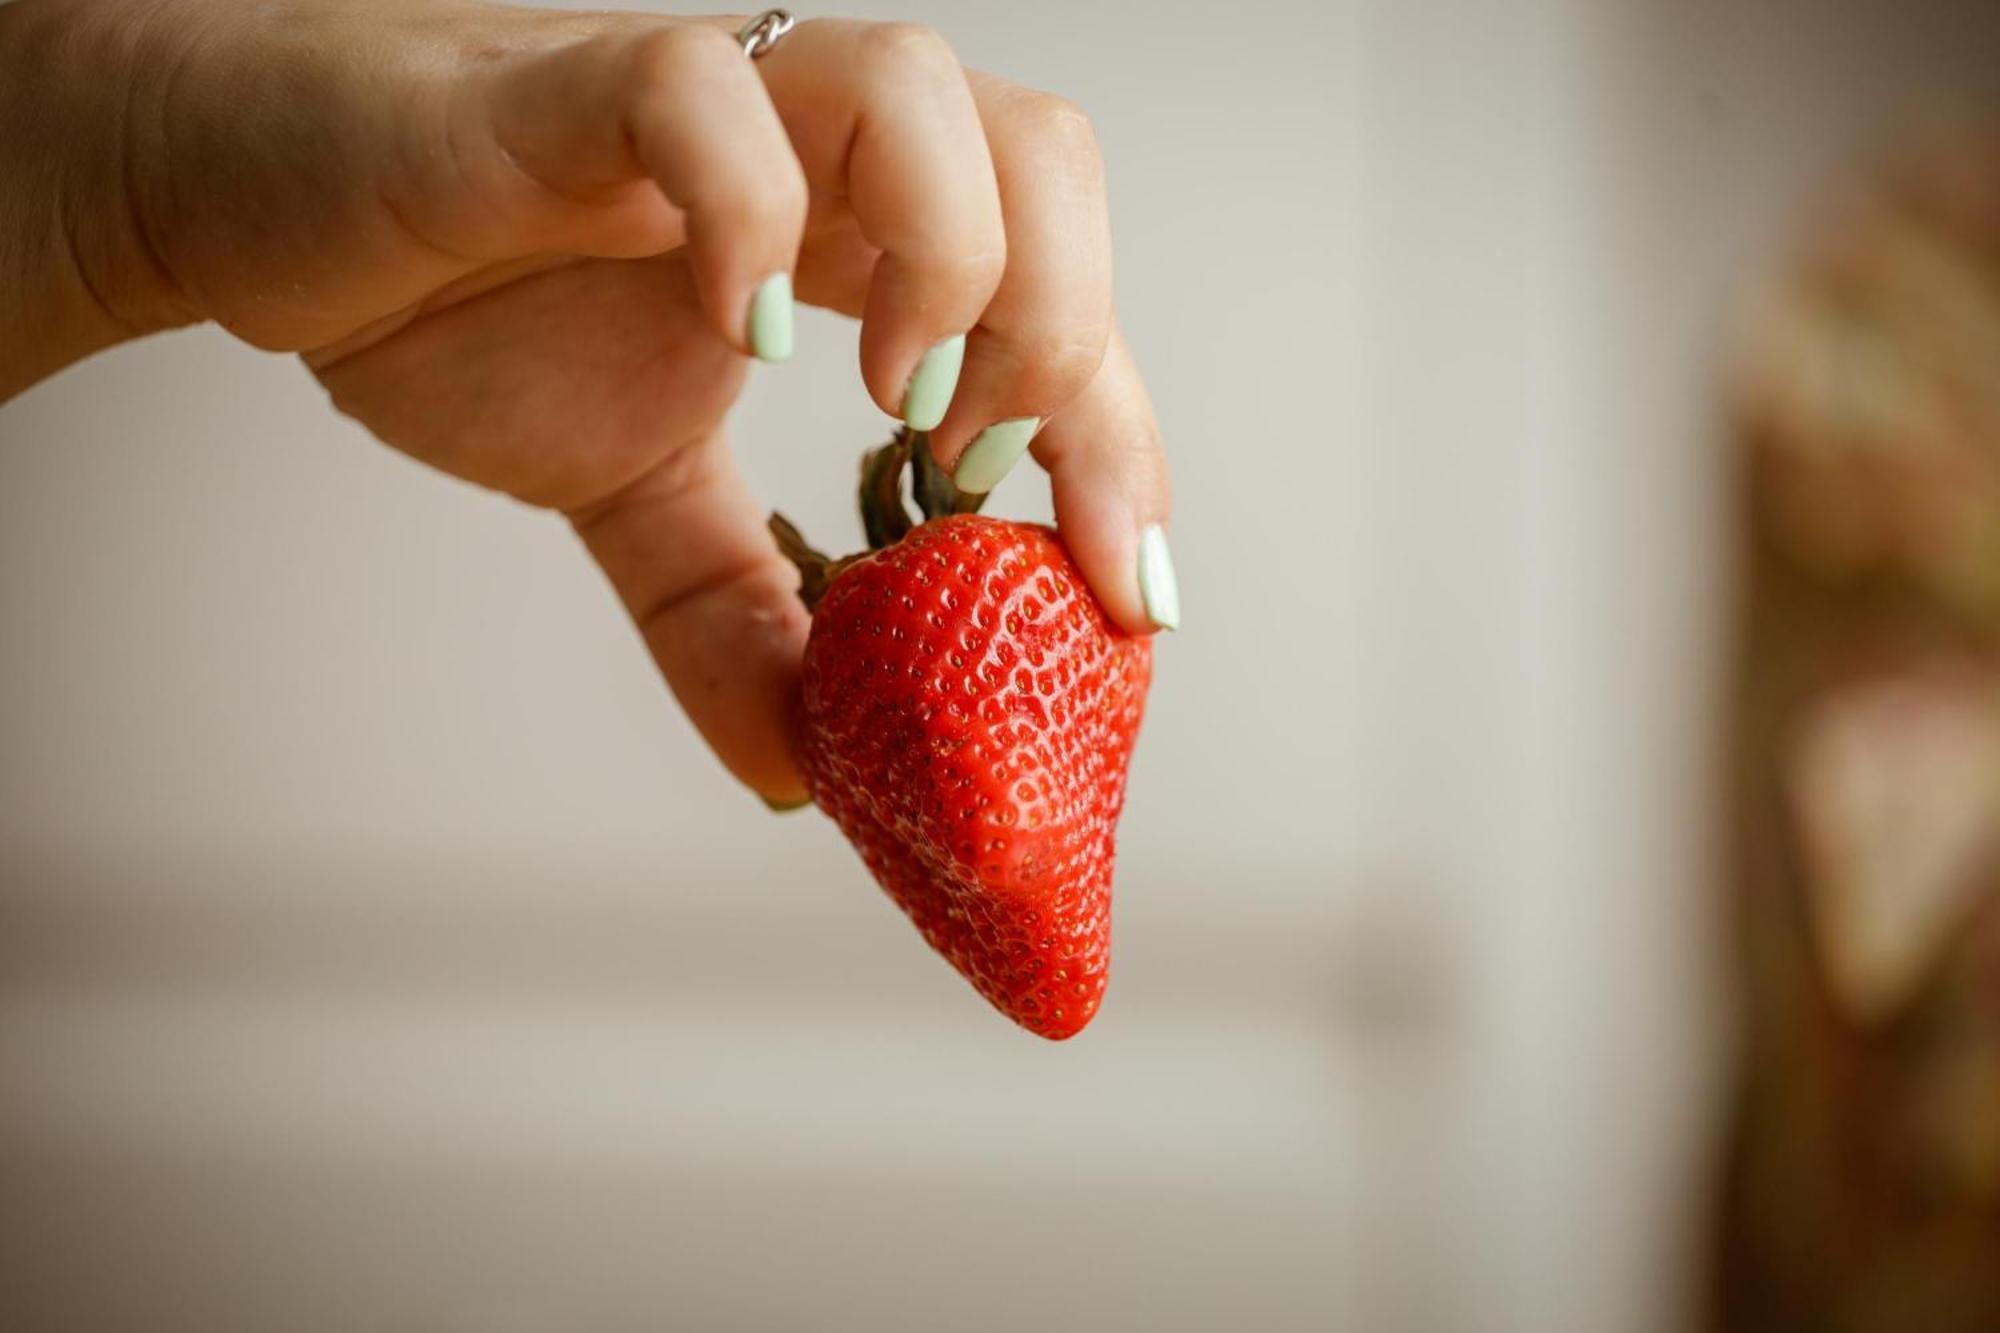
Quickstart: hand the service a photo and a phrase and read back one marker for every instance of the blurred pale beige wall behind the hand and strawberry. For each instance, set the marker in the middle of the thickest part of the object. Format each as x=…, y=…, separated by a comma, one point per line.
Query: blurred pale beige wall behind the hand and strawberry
x=379, y=948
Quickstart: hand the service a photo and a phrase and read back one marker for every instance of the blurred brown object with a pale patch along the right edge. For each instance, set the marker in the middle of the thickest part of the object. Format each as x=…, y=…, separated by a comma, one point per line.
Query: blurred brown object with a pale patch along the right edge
x=1865, y=1170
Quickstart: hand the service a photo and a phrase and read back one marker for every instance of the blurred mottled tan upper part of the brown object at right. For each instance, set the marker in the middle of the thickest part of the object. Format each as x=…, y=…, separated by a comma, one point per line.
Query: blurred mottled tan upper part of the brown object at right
x=1875, y=389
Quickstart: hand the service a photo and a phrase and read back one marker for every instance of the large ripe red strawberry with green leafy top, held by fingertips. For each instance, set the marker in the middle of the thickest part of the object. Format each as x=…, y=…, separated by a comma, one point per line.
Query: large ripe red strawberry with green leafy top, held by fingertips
x=967, y=720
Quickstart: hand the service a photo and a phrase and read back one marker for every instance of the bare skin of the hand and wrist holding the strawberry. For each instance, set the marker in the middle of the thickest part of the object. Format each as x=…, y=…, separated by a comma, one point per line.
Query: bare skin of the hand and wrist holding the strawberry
x=521, y=247
